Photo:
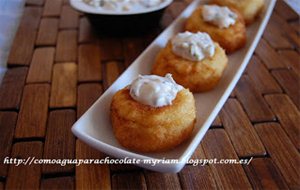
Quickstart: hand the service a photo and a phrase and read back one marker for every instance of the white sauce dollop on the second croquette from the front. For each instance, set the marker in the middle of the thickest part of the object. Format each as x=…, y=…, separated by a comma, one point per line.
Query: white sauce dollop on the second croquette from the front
x=193, y=46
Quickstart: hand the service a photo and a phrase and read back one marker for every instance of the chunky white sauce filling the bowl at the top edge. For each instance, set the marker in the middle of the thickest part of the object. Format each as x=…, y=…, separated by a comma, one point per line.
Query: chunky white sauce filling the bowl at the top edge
x=123, y=5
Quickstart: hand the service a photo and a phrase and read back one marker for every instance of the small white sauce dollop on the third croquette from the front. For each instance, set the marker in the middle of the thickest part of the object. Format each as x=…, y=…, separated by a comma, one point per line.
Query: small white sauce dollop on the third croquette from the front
x=222, y=17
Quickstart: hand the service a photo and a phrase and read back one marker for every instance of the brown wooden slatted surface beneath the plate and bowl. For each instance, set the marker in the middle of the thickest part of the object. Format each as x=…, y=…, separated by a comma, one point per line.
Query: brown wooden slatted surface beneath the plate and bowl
x=58, y=68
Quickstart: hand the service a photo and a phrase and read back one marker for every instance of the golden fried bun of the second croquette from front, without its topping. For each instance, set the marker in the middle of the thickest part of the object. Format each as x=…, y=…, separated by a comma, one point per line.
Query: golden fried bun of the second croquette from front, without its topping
x=198, y=76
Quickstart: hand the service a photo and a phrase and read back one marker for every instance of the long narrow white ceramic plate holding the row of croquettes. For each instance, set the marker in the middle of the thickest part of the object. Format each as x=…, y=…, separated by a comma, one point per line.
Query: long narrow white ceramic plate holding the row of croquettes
x=94, y=127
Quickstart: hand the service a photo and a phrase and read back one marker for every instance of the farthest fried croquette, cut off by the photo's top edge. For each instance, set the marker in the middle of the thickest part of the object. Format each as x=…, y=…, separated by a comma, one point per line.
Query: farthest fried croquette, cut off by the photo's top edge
x=250, y=9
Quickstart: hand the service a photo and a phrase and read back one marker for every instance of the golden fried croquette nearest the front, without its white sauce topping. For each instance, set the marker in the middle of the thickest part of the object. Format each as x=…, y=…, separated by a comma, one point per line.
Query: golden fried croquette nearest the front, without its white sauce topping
x=144, y=128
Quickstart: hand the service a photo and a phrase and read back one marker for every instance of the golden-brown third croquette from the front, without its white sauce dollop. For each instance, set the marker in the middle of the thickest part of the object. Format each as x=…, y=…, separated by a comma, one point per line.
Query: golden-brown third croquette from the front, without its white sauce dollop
x=231, y=38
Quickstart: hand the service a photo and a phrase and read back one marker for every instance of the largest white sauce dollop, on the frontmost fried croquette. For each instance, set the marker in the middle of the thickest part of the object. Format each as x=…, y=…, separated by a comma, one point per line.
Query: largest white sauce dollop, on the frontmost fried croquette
x=154, y=90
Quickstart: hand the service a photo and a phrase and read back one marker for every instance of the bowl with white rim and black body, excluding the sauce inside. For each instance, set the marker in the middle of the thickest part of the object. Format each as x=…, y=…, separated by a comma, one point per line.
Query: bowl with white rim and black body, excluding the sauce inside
x=122, y=22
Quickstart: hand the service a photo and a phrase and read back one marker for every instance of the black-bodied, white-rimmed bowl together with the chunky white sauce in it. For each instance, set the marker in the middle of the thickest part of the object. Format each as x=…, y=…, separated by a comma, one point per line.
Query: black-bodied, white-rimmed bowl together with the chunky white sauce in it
x=122, y=16
